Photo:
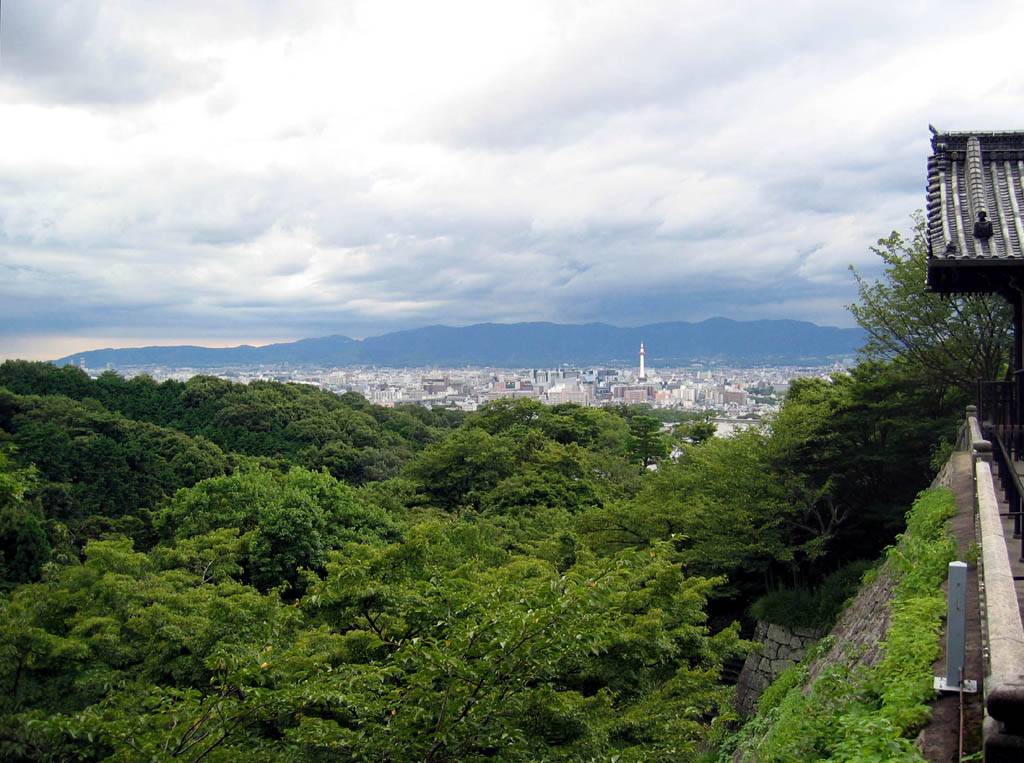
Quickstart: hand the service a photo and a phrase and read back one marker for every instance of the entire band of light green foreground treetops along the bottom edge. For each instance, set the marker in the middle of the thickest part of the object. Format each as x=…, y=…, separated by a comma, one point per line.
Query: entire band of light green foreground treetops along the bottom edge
x=439, y=648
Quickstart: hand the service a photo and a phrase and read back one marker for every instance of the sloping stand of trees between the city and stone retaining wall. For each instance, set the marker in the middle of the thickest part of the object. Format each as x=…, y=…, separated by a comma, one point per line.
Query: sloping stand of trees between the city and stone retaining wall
x=785, y=504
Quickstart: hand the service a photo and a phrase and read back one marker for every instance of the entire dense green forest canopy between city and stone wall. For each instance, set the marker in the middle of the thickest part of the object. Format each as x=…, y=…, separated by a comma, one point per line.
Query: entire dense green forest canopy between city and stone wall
x=208, y=570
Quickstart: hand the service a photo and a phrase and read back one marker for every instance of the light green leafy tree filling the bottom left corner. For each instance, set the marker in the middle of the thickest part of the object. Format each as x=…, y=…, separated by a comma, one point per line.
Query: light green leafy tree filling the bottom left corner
x=87, y=655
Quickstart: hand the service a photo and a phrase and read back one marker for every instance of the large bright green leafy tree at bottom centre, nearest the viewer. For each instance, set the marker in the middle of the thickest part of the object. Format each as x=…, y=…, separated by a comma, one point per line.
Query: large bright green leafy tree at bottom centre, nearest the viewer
x=510, y=658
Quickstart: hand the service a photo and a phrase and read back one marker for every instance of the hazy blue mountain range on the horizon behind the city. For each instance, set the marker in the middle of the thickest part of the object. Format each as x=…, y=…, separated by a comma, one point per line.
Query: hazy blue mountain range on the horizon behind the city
x=523, y=346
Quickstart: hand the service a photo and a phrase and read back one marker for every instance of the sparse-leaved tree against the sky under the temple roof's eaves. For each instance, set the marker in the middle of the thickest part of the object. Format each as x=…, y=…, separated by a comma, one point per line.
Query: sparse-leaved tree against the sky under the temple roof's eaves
x=947, y=343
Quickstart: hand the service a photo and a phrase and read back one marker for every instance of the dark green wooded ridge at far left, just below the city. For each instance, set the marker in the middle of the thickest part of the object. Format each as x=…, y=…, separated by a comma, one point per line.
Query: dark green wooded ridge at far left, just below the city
x=294, y=423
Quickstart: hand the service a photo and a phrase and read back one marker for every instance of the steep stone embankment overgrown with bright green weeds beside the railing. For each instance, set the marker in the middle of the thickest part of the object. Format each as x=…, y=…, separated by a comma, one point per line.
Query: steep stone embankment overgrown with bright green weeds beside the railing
x=865, y=694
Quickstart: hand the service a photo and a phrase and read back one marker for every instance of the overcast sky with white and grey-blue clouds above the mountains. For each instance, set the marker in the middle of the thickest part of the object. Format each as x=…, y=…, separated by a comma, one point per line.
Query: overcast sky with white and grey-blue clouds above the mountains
x=228, y=172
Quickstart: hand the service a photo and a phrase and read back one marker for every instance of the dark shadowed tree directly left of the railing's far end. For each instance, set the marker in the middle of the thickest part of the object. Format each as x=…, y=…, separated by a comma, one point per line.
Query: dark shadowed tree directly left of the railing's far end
x=866, y=442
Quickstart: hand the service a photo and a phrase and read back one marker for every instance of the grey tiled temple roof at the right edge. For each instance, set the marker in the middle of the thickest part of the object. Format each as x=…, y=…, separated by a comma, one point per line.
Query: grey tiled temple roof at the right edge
x=972, y=173
